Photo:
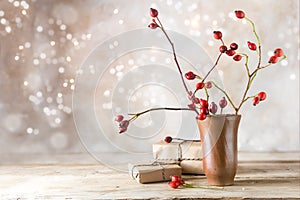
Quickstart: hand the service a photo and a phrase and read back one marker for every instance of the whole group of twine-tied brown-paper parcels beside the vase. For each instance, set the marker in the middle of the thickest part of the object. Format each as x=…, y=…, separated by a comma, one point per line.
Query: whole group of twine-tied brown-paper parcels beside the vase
x=174, y=158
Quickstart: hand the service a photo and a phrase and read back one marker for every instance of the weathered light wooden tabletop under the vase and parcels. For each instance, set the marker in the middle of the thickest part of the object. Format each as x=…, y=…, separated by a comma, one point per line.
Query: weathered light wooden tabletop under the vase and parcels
x=78, y=176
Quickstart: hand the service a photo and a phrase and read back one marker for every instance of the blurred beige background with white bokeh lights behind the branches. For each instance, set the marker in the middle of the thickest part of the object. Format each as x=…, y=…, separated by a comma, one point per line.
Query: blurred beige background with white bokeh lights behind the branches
x=46, y=45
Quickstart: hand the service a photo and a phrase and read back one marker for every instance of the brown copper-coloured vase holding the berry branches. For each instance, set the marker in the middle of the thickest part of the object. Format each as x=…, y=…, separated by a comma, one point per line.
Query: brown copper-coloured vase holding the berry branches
x=218, y=134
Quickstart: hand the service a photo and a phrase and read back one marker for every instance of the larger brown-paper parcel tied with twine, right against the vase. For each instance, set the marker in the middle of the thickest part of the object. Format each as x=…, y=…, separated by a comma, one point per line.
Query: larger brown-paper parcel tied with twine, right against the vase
x=188, y=153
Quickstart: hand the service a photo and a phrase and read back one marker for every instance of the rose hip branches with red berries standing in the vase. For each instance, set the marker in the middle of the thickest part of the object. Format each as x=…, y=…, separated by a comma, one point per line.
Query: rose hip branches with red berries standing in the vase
x=201, y=107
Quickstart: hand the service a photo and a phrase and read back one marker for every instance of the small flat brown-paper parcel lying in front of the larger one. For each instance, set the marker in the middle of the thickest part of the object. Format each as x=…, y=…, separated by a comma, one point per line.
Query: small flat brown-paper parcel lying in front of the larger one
x=154, y=171
